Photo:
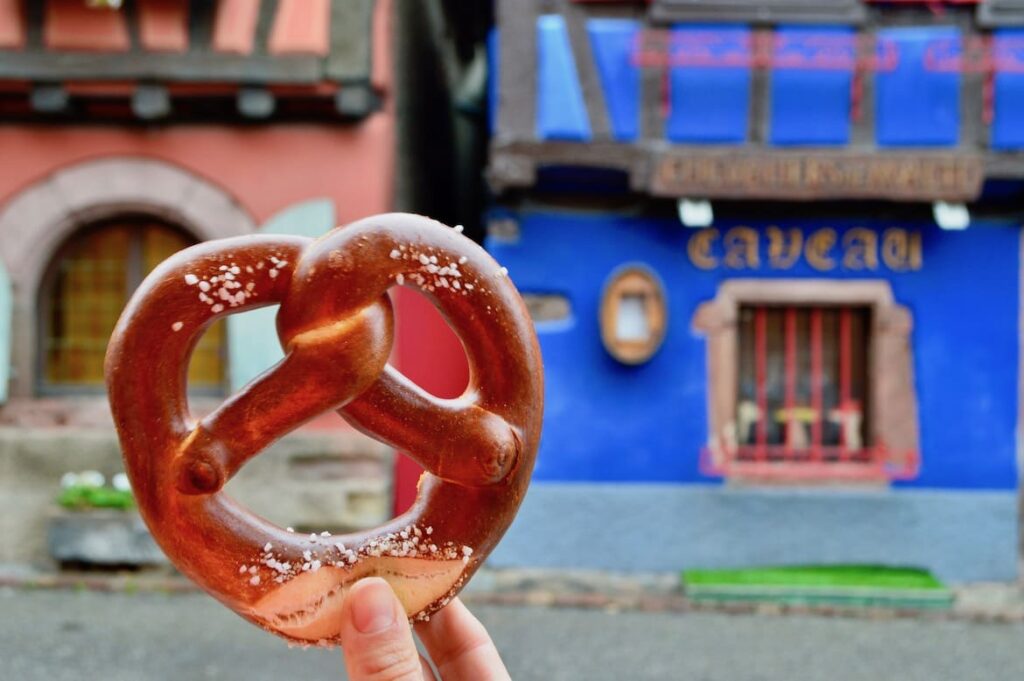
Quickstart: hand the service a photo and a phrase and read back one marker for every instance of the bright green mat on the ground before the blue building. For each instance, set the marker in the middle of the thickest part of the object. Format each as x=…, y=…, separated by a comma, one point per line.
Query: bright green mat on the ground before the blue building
x=836, y=586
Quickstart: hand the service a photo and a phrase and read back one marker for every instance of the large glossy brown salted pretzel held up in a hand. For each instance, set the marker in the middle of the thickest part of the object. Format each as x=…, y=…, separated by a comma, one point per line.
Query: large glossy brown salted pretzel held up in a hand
x=336, y=326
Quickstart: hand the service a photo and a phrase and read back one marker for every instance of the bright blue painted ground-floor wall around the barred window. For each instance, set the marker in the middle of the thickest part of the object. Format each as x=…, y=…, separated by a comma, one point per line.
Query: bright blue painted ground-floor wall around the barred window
x=607, y=422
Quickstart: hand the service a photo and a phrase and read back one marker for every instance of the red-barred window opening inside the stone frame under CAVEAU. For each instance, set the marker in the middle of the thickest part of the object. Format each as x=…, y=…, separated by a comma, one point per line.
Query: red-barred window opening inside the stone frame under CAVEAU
x=803, y=393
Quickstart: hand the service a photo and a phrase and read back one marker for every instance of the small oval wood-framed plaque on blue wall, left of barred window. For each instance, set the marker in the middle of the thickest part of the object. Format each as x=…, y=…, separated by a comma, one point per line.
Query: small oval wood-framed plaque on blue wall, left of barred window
x=633, y=315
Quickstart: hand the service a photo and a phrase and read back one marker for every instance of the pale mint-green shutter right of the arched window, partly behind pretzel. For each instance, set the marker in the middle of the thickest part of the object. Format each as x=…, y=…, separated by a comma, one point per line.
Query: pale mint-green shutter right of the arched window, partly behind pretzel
x=252, y=337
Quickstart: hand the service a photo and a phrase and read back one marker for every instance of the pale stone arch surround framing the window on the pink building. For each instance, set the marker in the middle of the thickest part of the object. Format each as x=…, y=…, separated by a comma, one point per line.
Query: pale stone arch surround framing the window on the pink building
x=37, y=221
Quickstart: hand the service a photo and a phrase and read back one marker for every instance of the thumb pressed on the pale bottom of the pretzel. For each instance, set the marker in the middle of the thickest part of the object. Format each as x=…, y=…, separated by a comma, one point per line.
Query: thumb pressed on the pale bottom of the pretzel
x=376, y=636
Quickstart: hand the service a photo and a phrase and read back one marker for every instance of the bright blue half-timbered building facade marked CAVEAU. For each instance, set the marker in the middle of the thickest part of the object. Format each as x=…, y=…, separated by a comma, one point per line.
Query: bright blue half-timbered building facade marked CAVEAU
x=814, y=370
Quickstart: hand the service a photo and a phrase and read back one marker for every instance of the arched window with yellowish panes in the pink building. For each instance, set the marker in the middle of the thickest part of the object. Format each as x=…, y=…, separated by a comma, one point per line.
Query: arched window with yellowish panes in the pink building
x=89, y=285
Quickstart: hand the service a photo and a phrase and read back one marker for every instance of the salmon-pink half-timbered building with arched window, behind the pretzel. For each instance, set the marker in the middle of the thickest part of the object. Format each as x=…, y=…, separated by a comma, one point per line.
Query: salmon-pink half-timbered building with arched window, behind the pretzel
x=130, y=131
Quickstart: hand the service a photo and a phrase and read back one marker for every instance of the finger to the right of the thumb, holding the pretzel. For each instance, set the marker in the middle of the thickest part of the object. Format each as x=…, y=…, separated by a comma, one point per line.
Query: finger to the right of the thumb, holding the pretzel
x=460, y=647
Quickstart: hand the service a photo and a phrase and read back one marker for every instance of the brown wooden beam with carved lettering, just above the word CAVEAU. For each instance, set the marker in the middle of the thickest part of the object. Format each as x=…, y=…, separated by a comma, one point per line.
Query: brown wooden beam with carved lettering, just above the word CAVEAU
x=763, y=174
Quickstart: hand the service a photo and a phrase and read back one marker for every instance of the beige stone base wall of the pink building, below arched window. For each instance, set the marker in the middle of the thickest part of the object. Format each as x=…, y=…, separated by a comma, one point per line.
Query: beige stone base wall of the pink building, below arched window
x=333, y=481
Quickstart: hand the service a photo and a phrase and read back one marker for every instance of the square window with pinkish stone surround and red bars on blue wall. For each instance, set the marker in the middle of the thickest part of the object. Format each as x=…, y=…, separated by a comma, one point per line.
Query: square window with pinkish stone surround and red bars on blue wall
x=809, y=380
